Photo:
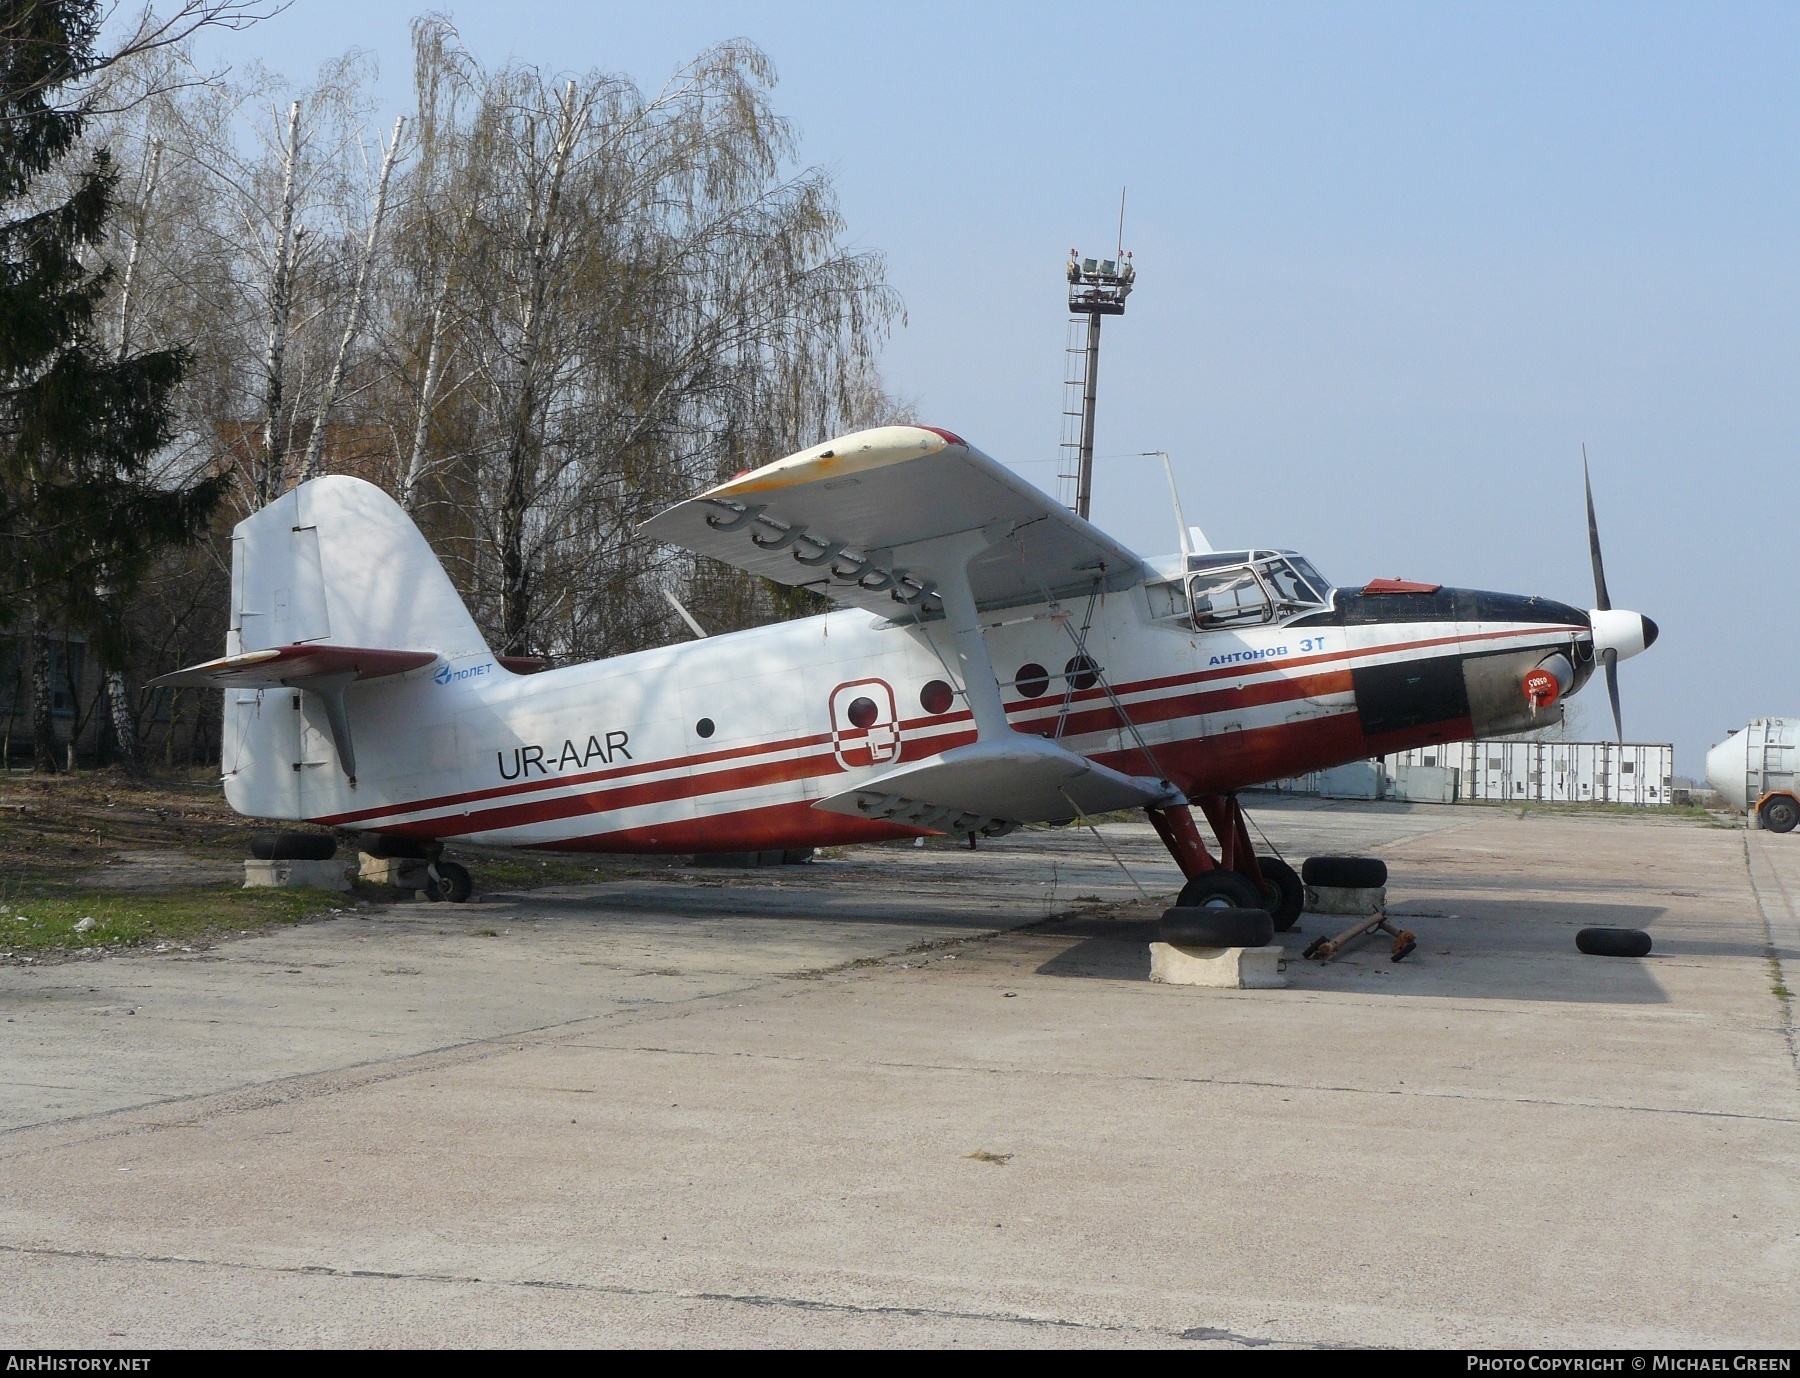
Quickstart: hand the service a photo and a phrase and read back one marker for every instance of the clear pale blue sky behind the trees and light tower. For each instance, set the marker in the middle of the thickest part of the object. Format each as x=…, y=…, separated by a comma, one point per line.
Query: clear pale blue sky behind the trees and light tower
x=1396, y=262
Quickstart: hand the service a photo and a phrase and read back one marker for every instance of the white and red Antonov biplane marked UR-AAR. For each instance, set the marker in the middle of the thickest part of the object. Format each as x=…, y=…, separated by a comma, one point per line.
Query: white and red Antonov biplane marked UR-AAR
x=996, y=661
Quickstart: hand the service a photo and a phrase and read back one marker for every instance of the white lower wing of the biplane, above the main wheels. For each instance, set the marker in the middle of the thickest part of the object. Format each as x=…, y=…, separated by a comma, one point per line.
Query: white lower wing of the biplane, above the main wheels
x=993, y=787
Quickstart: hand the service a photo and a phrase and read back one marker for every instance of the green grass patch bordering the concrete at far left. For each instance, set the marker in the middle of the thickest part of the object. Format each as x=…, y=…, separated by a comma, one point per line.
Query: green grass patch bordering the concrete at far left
x=49, y=922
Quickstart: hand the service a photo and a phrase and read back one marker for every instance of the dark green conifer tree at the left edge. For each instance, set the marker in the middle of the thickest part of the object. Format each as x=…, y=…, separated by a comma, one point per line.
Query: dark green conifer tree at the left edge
x=80, y=425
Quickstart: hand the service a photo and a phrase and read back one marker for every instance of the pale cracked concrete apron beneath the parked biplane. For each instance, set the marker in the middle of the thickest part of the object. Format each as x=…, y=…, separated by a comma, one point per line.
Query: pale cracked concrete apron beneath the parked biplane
x=717, y=1114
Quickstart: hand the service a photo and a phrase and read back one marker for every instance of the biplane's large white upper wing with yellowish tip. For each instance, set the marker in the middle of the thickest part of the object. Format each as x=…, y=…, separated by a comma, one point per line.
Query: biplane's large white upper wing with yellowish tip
x=840, y=517
